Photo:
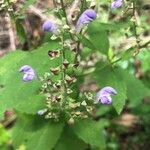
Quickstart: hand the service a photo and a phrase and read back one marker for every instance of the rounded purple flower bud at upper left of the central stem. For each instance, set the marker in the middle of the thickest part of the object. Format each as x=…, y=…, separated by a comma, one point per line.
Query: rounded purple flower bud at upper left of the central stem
x=49, y=26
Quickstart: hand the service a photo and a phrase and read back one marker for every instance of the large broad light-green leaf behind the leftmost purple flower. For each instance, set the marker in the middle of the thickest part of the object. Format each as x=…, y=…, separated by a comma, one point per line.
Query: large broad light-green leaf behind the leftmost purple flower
x=15, y=93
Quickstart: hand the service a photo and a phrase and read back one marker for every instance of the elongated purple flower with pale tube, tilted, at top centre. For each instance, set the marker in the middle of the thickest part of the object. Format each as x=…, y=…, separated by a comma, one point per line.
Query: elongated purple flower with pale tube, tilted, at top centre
x=86, y=17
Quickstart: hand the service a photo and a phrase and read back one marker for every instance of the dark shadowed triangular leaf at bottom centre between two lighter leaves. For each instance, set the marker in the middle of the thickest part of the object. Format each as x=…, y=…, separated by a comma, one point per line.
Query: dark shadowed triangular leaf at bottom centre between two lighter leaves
x=69, y=141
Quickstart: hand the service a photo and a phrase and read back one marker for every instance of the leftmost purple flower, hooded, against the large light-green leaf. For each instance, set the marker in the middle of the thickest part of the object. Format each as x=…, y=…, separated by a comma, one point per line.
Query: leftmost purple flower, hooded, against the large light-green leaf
x=29, y=73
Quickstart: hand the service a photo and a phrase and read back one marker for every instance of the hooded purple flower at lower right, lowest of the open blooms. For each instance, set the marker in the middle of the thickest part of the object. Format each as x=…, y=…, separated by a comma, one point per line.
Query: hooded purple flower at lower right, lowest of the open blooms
x=104, y=95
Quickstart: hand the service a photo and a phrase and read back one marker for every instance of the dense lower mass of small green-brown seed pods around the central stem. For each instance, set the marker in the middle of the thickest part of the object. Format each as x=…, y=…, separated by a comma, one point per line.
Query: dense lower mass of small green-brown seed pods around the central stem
x=56, y=106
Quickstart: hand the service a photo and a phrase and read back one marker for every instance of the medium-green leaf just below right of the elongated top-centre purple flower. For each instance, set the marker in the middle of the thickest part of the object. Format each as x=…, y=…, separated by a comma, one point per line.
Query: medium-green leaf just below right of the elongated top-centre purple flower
x=98, y=36
